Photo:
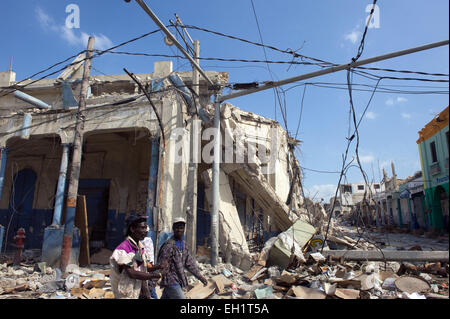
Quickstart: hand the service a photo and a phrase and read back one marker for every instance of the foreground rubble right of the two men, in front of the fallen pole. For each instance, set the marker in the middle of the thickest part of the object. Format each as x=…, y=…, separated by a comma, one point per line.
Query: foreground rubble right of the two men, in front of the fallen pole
x=325, y=278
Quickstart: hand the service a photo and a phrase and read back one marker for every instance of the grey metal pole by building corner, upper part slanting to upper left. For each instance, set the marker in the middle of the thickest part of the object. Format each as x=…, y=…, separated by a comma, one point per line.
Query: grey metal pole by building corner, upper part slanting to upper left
x=216, y=161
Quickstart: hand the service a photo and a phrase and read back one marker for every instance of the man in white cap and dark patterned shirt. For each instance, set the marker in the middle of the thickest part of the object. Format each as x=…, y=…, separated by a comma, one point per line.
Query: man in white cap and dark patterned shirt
x=176, y=253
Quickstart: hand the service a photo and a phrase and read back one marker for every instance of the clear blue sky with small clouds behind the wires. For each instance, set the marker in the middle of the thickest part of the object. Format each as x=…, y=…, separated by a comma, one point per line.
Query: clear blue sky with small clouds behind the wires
x=34, y=33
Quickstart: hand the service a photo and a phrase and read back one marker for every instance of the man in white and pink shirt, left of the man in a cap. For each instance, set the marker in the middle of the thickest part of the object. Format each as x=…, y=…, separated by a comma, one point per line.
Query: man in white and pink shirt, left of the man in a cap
x=129, y=271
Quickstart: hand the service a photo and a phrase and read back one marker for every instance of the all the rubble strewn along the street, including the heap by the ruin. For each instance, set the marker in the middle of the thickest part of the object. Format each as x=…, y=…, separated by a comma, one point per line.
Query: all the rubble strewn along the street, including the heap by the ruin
x=303, y=273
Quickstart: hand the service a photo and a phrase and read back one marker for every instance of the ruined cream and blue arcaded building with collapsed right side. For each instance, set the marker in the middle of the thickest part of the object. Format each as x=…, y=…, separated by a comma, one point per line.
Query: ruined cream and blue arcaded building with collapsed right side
x=130, y=163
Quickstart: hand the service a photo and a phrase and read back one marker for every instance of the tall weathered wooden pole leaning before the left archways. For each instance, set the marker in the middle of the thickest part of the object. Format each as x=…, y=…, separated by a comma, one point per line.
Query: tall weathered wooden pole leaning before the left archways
x=76, y=162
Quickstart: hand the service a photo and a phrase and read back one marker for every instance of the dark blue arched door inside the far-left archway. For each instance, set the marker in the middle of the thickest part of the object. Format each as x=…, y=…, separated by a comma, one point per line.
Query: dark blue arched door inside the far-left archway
x=20, y=207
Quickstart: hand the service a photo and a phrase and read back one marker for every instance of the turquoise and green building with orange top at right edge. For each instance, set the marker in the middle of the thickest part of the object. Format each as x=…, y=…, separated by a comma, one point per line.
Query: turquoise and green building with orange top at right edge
x=433, y=149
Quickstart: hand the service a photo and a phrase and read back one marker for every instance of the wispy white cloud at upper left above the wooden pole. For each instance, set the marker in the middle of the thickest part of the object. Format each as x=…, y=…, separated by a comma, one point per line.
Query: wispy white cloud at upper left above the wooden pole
x=71, y=36
